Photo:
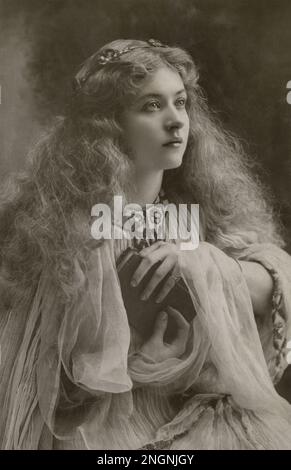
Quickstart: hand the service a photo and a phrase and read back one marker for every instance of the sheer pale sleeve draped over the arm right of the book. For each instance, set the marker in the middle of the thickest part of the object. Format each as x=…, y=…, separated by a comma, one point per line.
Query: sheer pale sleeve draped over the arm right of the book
x=222, y=301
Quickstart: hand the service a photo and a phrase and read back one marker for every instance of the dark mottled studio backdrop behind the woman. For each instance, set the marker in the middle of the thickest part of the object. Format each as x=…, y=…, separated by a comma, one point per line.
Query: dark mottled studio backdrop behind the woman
x=242, y=48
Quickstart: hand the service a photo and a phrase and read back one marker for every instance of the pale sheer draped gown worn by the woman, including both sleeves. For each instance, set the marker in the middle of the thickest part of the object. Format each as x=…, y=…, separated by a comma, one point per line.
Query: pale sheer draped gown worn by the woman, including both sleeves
x=72, y=376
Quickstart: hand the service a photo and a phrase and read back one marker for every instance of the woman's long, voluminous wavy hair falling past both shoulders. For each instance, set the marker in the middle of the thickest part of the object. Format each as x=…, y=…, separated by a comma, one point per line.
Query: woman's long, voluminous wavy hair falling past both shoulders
x=82, y=160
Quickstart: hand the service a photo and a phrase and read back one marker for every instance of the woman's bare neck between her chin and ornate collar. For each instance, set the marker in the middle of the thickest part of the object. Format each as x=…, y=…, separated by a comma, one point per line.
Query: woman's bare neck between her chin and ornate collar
x=148, y=186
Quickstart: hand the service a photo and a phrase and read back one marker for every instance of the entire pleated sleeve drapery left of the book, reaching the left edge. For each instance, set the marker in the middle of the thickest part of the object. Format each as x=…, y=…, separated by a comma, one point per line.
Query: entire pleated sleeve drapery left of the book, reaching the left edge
x=62, y=360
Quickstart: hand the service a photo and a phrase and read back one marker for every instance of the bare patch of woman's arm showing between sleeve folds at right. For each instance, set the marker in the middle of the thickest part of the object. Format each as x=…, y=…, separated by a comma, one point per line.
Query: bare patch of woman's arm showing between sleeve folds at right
x=260, y=285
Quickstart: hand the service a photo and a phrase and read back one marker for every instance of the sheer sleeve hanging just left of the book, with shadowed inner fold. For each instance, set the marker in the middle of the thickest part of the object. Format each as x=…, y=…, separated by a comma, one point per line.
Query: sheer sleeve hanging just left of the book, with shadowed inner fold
x=83, y=355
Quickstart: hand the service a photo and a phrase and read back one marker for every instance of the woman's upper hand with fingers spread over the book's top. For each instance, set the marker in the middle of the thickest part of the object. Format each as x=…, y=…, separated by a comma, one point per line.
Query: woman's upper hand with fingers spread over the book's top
x=165, y=252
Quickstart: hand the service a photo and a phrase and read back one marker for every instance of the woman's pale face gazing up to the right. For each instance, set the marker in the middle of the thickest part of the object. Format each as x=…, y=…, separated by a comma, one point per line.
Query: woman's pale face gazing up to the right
x=156, y=126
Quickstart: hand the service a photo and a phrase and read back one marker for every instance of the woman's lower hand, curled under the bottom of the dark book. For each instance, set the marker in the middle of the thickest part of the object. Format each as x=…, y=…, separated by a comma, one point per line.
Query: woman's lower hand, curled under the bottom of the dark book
x=155, y=348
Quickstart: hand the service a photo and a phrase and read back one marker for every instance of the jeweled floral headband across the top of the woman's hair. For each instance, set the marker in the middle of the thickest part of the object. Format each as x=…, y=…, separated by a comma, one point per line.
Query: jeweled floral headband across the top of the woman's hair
x=108, y=56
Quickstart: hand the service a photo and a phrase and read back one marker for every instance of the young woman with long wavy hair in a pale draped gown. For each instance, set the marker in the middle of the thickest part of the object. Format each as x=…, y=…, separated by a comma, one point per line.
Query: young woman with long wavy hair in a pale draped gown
x=74, y=374
